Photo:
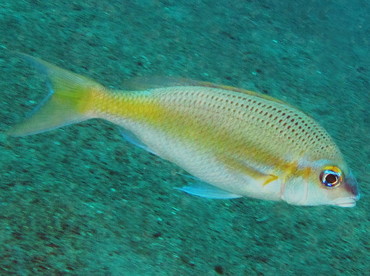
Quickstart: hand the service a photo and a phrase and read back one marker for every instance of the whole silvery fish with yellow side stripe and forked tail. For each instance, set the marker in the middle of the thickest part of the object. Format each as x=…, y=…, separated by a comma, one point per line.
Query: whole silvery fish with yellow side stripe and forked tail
x=232, y=142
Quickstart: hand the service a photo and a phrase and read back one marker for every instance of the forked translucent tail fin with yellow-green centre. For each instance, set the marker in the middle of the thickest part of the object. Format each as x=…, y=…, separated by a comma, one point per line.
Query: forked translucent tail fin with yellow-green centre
x=67, y=102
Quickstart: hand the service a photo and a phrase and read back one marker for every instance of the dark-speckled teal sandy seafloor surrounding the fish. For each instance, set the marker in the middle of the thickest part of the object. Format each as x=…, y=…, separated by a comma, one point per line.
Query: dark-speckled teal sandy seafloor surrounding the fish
x=81, y=201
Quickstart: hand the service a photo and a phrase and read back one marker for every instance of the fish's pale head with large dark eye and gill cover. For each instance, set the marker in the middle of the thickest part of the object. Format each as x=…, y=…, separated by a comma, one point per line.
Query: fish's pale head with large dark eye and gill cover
x=325, y=183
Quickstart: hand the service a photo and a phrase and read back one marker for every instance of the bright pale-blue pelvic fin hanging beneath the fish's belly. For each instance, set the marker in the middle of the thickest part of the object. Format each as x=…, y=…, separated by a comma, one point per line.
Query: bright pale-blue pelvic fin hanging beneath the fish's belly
x=206, y=190
